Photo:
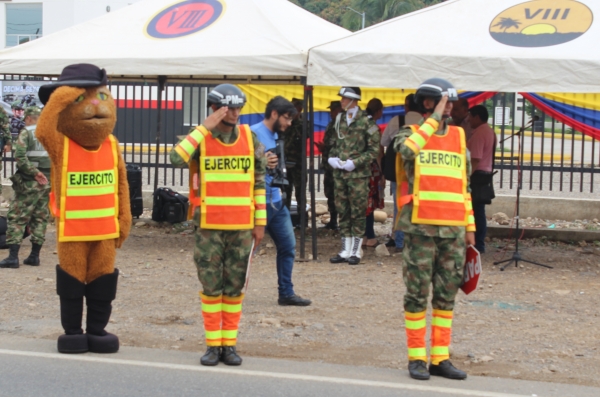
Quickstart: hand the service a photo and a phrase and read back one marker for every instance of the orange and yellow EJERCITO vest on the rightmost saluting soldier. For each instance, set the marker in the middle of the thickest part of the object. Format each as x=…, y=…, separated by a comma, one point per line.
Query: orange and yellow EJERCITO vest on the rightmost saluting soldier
x=440, y=194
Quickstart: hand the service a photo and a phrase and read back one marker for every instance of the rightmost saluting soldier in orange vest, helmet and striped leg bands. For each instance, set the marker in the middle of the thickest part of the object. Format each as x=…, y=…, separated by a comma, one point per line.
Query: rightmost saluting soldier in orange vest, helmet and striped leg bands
x=437, y=219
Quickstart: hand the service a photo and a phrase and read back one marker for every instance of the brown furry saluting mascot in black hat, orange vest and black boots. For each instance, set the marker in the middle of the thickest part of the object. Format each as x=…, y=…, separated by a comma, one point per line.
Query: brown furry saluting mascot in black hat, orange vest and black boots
x=90, y=200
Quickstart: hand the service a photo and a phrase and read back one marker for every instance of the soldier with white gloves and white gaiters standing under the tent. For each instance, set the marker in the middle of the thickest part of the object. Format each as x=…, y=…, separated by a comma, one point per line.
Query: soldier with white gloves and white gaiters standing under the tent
x=356, y=147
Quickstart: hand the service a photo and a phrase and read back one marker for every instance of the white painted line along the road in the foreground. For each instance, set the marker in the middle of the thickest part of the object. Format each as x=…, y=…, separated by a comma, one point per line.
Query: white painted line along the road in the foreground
x=263, y=374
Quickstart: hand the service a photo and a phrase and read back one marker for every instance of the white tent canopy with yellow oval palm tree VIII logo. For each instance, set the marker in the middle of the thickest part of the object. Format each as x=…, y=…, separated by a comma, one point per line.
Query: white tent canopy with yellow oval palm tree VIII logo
x=480, y=45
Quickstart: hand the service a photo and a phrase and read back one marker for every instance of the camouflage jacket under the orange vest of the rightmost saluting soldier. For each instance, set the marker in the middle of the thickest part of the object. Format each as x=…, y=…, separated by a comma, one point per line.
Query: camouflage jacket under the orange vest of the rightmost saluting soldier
x=404, y=222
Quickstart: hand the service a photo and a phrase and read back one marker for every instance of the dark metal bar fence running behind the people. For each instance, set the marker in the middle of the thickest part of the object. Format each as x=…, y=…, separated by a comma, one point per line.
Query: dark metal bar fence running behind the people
x=554, y=157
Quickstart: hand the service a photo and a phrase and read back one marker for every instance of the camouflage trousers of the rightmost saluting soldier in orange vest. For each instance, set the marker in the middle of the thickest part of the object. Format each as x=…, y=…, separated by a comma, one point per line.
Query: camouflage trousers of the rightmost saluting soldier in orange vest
x=432, y=260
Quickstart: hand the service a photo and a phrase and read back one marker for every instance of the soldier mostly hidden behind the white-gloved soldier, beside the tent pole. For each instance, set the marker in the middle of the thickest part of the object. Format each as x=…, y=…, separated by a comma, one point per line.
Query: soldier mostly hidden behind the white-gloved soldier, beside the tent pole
x=335, y=108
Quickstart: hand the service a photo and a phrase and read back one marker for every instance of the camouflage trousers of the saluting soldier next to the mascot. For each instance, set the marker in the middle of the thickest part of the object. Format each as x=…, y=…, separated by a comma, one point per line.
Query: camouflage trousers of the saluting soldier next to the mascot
x=221, y=258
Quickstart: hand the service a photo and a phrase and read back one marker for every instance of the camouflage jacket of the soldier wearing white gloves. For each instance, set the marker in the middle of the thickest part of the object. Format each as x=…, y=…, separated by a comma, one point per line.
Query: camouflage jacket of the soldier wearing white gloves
x=358, y=141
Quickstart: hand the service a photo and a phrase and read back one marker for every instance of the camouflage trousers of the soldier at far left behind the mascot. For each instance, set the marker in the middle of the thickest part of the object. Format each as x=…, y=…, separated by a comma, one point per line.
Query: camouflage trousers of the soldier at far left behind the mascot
x=28, y=207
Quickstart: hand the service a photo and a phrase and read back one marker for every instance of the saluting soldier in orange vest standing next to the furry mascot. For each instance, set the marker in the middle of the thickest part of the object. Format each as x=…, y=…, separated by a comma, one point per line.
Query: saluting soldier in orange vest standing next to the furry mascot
x=222, y=249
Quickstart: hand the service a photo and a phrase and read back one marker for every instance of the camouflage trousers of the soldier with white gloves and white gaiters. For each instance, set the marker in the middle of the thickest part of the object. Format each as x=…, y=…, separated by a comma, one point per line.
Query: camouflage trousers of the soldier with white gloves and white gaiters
x=351, y=198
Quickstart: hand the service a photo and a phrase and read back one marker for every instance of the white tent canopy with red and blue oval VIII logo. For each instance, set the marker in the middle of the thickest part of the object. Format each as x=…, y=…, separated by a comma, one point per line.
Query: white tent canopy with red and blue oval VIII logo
x=193, y=40
